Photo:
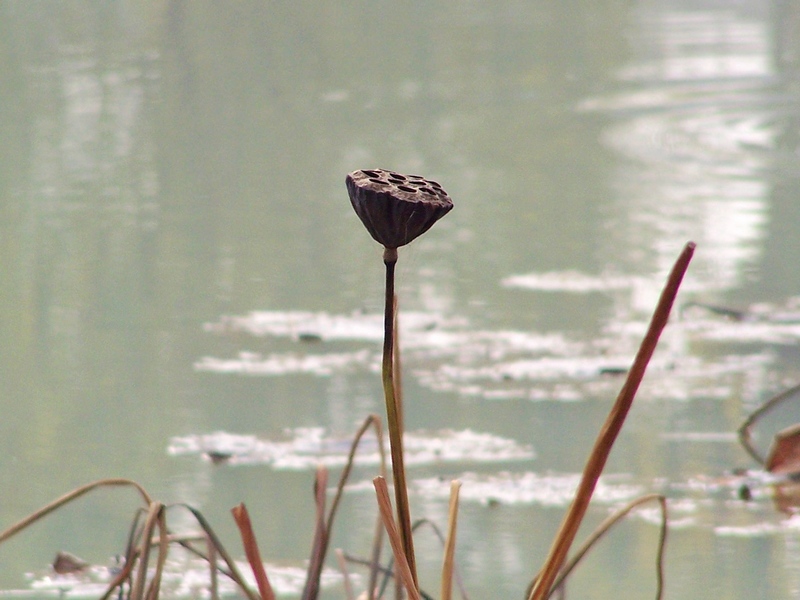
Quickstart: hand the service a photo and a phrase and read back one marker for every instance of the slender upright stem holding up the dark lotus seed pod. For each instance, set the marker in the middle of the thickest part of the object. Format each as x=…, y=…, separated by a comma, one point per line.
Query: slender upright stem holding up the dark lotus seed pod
x=393, y=415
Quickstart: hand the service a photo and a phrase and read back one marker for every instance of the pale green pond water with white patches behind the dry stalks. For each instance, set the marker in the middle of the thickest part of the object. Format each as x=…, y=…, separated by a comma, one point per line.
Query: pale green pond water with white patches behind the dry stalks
x=184, y=278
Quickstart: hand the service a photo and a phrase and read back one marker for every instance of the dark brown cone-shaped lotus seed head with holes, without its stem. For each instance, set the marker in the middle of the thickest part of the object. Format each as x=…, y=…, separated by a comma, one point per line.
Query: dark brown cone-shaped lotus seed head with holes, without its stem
x=396, y=208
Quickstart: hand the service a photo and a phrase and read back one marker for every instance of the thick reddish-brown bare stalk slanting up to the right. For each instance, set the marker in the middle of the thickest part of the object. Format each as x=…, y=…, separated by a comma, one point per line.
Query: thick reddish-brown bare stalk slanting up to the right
x=611, y=428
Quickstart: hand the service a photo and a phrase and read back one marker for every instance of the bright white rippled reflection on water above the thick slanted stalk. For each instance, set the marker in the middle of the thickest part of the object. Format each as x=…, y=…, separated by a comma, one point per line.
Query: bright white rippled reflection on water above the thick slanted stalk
x=695, y=131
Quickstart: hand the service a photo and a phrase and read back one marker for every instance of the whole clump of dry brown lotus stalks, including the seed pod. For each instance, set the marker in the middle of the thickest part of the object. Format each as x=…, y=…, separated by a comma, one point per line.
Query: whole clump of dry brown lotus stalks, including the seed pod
x=395, y=209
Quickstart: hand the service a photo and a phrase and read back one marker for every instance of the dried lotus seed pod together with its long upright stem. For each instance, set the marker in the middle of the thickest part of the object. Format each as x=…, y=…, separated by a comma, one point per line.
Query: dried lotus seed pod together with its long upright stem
x=396, y=209
